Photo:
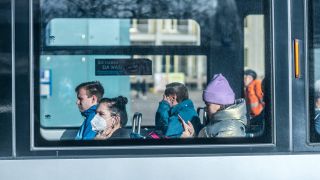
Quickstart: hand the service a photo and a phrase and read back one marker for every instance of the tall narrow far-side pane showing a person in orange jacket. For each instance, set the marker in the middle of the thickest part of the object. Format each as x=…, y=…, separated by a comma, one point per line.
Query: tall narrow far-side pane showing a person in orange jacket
x=254, y=73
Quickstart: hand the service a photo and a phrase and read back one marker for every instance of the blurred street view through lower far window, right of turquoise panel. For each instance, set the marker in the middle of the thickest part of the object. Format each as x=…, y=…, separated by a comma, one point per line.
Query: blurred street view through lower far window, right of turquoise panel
x=147, y=91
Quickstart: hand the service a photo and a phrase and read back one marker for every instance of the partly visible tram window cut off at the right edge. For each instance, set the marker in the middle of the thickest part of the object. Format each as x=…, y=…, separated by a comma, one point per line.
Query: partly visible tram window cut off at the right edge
x=314, y=72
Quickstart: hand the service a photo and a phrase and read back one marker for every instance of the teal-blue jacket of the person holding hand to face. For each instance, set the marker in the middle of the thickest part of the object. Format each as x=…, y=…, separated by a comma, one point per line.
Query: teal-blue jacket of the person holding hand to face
x=167, y=120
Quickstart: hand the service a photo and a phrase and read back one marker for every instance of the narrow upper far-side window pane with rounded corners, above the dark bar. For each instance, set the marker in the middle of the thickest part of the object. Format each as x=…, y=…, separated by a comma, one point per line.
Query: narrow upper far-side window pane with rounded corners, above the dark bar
x=123, y=32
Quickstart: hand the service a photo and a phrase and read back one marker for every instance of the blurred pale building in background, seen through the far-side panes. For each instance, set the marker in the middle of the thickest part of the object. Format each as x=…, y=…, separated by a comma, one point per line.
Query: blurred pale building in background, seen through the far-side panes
x=190, y=70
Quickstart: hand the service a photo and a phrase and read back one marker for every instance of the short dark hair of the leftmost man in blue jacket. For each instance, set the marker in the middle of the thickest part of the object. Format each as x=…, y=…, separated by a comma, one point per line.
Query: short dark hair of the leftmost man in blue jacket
x=92, y=88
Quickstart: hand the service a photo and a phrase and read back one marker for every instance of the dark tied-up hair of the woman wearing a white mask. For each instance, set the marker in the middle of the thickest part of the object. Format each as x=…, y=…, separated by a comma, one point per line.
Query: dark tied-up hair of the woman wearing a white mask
x=117, y=106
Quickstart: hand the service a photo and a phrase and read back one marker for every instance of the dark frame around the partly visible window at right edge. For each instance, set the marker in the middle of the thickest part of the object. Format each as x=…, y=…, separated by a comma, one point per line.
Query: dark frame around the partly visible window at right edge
x=308, y=140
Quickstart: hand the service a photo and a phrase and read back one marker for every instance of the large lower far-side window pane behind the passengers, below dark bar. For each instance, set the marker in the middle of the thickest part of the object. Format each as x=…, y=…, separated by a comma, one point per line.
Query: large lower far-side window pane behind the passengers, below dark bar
x=144, y=92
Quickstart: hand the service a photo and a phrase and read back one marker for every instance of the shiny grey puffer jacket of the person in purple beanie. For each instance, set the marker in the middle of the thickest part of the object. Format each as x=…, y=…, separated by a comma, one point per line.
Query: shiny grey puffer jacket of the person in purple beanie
x=229, y=122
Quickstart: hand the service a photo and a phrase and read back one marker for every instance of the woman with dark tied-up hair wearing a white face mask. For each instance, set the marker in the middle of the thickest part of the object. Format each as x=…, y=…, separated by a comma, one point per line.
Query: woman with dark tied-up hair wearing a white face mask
x=111, y=118
